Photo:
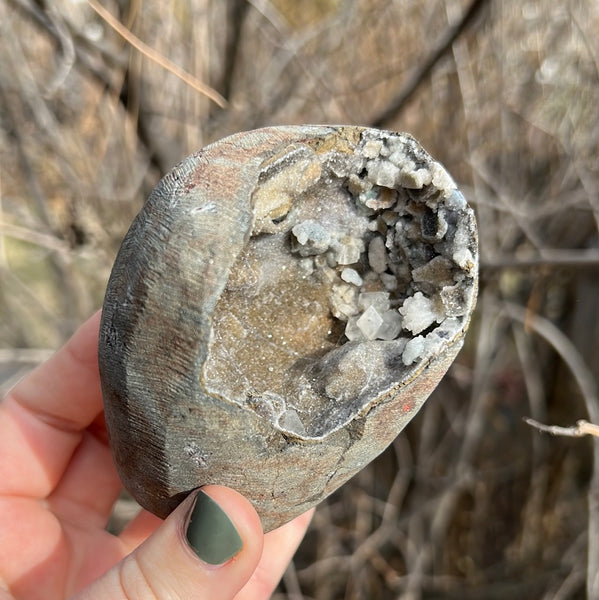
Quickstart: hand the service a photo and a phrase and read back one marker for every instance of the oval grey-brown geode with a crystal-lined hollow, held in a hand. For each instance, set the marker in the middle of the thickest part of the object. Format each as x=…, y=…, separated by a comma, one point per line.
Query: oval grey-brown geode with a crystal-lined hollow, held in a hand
x=280, y=309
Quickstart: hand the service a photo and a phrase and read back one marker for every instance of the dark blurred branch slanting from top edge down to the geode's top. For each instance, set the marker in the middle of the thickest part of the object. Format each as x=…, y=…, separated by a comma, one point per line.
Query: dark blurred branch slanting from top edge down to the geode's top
x=417, y=77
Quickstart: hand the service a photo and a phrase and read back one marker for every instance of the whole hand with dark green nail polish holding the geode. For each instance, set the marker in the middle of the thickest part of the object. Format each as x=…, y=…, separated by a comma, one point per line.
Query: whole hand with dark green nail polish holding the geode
x=58, y=484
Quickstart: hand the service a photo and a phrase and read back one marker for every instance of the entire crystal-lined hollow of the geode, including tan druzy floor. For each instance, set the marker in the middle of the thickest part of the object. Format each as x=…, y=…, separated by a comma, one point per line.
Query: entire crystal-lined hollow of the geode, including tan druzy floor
x=343, y=289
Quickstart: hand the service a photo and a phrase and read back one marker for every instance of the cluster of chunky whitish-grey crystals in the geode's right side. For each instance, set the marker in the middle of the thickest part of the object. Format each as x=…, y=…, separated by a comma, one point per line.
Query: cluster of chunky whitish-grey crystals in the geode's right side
x=404, y=266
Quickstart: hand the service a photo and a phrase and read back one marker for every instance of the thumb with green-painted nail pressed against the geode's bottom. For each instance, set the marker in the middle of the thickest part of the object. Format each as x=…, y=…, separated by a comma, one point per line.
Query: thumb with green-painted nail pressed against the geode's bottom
x=207, y=548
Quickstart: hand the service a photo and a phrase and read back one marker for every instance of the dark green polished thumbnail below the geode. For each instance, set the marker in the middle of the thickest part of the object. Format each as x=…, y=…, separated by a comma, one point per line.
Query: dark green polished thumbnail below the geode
x=210, y=532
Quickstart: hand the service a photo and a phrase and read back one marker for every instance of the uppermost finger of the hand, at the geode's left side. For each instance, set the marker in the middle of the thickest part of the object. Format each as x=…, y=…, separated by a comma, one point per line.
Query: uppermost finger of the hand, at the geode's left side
x=42, y=418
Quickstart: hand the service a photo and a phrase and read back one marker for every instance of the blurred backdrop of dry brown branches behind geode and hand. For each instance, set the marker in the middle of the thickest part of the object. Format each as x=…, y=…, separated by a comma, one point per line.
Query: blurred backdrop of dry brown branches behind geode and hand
x=469, y=501
